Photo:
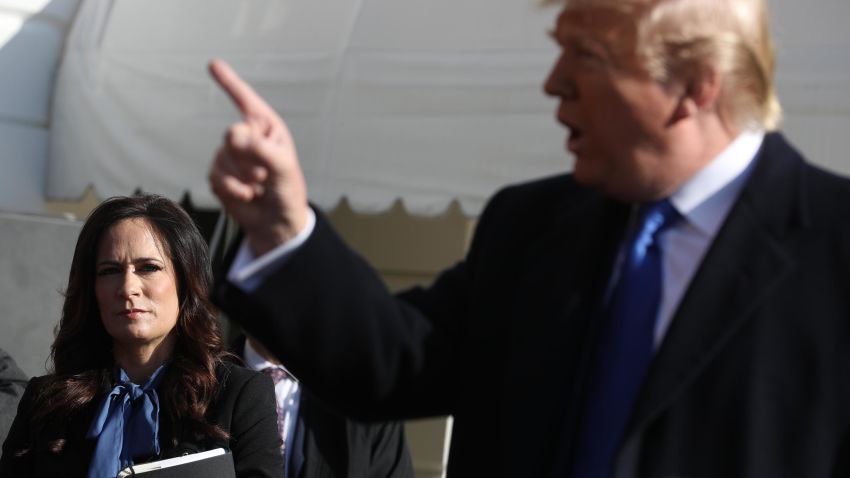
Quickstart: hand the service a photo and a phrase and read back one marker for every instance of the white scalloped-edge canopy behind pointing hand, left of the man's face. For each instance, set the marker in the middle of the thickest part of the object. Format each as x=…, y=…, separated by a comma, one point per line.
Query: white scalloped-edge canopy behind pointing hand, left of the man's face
x=423, y=100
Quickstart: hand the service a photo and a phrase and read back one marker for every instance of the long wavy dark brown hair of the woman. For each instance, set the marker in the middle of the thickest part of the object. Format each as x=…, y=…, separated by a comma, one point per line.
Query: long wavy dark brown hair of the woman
x=82, y=359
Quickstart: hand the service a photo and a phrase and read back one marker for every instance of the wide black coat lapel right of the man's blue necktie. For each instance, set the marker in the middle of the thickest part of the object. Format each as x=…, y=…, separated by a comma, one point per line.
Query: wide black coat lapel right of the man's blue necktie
x=747, y=259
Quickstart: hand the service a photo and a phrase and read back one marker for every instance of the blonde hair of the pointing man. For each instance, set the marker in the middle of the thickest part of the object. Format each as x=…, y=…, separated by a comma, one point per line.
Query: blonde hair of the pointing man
x=688, y=38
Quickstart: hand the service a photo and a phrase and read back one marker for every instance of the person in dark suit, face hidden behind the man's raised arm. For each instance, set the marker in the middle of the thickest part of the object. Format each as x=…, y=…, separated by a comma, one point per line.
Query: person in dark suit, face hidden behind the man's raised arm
x=319, y=442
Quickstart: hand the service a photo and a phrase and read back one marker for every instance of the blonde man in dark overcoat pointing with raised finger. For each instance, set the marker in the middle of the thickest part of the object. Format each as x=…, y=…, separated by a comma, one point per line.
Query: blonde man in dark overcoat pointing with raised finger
x=675, y=307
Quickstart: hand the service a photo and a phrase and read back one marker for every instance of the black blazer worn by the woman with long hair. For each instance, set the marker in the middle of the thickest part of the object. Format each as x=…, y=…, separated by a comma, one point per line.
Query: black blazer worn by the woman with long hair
x=244, y=407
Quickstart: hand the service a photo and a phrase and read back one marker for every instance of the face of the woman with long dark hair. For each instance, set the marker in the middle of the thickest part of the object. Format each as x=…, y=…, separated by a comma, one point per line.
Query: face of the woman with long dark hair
x=135, y=285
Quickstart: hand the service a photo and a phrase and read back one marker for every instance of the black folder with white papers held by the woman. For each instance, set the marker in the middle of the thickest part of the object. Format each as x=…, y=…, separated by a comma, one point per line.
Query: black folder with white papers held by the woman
x=216, y=463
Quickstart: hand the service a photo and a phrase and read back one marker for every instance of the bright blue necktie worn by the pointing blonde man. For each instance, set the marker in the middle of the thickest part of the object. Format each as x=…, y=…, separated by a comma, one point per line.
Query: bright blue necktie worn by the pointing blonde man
x=625, y=346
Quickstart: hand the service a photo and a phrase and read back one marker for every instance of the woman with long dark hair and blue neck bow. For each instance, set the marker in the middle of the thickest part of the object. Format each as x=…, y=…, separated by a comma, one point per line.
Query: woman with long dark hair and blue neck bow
x=138, y=371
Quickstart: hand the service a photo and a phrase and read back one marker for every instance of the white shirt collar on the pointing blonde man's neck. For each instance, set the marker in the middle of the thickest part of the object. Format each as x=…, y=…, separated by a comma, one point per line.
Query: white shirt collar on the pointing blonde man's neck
x=706, y=198
